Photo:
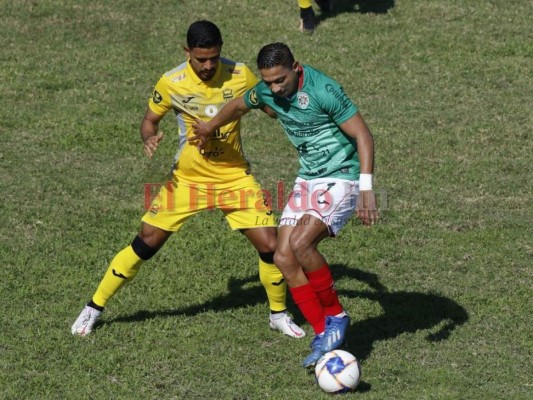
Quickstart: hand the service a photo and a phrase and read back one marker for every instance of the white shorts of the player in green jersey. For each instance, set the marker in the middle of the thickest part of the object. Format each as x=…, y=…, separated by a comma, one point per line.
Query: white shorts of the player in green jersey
x=331, y=200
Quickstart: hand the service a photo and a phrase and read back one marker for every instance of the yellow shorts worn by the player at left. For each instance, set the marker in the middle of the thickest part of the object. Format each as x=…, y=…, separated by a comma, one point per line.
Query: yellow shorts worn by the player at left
x=243, y=202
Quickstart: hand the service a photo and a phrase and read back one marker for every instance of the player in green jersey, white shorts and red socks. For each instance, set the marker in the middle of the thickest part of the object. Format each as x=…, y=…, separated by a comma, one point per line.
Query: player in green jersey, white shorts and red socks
x=336, y=154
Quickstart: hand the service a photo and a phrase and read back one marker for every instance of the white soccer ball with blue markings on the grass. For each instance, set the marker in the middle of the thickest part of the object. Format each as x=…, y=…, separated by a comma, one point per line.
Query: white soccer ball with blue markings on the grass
x=337, y=372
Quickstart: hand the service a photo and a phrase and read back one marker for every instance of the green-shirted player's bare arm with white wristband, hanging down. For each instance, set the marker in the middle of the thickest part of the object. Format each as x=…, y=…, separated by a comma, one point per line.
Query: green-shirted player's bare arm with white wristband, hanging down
x=366, y=203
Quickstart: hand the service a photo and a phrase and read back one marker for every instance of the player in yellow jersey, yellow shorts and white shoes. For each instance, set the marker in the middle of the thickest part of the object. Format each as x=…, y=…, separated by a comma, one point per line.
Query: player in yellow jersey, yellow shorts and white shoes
x=215, y=177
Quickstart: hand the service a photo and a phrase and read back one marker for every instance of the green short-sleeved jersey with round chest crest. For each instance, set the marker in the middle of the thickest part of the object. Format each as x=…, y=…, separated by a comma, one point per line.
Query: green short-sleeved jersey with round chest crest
x=312, y=118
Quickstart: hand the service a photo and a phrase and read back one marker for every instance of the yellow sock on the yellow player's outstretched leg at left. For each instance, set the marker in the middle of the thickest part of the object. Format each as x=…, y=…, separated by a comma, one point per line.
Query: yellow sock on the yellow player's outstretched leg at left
x=122, y=269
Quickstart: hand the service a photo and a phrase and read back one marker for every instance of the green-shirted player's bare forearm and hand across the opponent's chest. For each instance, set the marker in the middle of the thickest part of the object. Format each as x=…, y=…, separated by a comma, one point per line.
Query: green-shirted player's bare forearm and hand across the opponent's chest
x=230, y=112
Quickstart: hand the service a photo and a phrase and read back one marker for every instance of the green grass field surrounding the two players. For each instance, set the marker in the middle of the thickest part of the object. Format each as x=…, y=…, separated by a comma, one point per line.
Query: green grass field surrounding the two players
x=439, y=292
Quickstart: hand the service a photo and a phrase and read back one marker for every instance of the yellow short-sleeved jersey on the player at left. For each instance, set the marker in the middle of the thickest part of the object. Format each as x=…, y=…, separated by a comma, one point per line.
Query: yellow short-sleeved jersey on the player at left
x=223, y=160
